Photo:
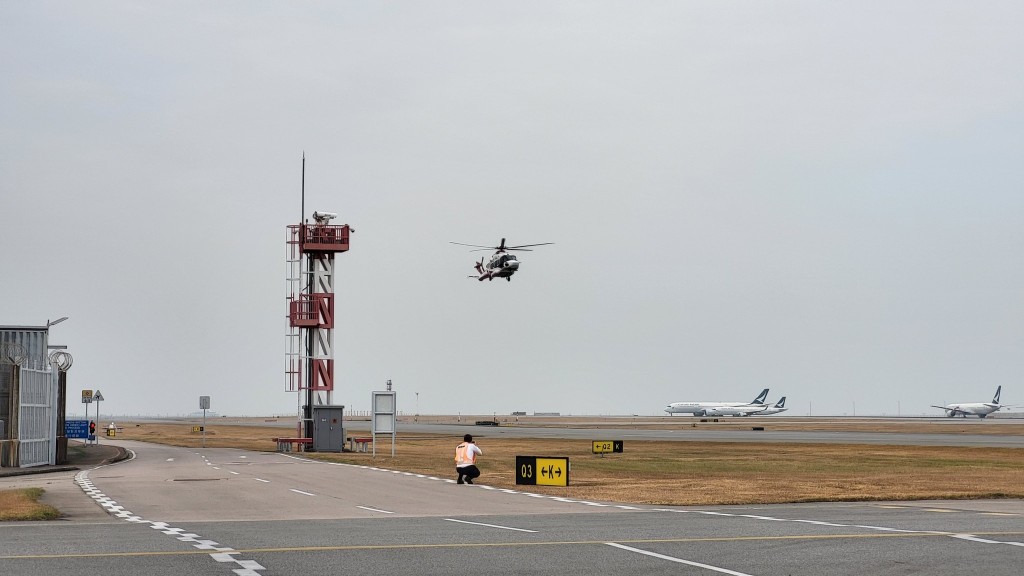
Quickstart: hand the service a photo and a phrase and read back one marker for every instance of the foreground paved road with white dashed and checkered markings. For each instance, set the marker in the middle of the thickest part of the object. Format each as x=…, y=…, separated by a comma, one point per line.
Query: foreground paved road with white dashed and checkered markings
x=176, y=511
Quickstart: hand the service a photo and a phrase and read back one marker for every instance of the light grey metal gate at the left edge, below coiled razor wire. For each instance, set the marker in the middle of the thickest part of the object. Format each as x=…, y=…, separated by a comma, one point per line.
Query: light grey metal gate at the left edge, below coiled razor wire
x=37, y=419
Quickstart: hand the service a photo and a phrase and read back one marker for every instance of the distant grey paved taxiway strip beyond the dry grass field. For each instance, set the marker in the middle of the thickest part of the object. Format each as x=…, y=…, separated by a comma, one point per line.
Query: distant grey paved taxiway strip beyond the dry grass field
x=705, y=435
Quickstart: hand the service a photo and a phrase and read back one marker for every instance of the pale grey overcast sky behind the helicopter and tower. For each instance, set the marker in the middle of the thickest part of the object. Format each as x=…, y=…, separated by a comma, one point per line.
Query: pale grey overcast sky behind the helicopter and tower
x=821, y=198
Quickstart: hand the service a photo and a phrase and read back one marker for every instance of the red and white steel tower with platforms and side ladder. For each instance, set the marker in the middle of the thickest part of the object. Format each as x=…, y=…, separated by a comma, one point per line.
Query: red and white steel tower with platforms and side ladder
x=310, y=351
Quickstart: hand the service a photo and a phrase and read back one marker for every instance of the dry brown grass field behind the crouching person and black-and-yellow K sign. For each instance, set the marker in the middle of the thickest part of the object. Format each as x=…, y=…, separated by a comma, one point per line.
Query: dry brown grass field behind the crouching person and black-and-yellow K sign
x=682, y=473
